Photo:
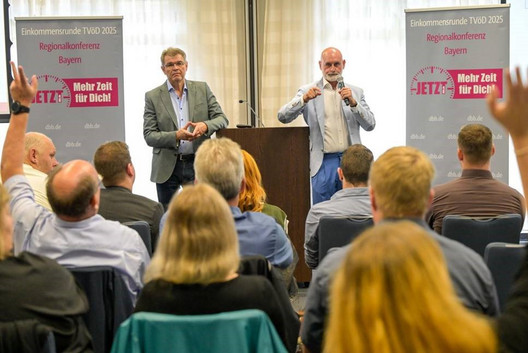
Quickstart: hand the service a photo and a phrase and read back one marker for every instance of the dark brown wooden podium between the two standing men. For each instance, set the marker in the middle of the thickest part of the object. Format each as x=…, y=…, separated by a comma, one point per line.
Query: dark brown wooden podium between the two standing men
x=282, y=154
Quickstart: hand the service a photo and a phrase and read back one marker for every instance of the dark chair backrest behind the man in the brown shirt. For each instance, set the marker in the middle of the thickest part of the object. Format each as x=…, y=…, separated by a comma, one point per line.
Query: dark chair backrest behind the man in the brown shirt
x=477, y=232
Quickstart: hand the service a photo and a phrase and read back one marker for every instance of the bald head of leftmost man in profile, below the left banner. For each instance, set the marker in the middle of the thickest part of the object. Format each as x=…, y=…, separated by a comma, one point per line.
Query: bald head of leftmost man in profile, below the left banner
x=39, y=152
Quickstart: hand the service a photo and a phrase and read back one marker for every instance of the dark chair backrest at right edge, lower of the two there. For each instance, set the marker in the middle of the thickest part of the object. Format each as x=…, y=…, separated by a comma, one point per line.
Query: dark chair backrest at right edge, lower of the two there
x=504, y=261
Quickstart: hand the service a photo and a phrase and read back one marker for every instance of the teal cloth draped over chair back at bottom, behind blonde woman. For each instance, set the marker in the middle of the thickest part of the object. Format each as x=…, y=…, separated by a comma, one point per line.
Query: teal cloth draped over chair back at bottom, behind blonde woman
x=241, y=331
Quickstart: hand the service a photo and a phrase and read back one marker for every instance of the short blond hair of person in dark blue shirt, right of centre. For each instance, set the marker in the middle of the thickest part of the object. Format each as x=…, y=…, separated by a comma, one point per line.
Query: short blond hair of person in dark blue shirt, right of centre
x=401, y=182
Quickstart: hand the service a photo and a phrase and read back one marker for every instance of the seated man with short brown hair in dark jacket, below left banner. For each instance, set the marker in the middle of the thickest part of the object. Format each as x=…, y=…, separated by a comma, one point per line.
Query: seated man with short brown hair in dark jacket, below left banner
x=112, y=161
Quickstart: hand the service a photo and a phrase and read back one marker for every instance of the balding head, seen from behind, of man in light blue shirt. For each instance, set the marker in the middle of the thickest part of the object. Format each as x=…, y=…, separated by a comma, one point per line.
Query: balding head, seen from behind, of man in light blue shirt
x=73, y=190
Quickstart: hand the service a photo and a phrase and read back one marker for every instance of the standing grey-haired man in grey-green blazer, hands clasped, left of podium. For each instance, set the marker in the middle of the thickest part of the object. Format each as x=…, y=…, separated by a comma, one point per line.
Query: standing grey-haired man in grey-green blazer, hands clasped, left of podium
x=179, y=115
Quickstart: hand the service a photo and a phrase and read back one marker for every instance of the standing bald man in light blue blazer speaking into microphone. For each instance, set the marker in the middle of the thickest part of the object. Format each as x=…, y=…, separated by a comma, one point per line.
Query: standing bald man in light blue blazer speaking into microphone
x=334, y=111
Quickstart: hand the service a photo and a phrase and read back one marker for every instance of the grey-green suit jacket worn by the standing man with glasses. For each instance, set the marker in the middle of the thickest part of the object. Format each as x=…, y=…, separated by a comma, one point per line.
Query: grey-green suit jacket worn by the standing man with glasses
x=160, y=124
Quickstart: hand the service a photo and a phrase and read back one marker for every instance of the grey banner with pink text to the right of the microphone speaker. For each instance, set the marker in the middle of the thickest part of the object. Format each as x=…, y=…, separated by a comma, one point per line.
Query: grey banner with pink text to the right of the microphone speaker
x=454, y=57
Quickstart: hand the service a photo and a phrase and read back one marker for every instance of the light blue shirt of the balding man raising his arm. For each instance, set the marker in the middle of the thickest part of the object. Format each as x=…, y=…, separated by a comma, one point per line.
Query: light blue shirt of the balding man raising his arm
x=90, y=242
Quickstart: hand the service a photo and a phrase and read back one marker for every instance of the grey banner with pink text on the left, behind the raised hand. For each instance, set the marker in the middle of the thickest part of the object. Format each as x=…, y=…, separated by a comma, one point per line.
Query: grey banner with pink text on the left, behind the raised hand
x=79, y=65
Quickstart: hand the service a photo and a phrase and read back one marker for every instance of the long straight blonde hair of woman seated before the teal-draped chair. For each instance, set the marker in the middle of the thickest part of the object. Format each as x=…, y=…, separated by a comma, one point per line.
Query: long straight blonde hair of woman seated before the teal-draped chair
x=199, y=243
